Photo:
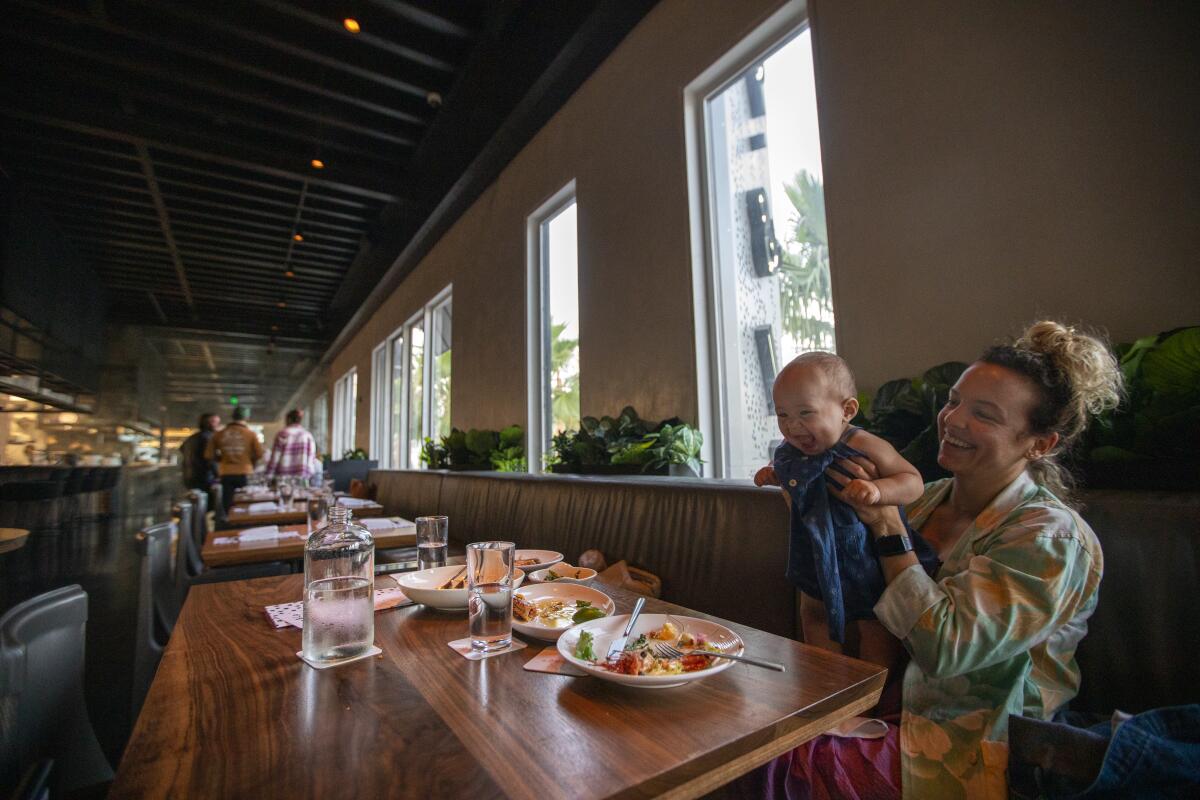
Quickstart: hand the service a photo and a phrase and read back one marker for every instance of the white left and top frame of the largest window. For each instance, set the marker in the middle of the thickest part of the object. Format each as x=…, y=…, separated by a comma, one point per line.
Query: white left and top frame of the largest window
x=712, y=364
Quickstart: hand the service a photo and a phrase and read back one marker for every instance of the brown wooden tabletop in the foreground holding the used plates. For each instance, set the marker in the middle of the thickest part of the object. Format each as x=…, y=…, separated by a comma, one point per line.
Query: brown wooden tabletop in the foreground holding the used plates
x=235, y=714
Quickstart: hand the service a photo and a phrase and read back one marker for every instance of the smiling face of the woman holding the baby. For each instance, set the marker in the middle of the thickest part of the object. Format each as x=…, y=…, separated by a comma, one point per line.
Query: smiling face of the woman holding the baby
x=985, y=428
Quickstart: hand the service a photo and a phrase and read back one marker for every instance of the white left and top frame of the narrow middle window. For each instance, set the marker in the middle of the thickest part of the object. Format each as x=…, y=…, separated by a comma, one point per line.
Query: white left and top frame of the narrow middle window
x=538, y=392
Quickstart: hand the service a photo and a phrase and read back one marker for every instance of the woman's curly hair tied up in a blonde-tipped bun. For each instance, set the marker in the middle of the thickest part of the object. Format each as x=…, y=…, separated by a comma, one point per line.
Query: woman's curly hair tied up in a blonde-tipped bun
x=1077, y=378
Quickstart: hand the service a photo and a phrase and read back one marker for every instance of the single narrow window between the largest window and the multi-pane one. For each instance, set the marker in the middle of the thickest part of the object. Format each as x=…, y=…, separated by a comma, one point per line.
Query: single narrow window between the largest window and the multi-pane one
x=554, y=330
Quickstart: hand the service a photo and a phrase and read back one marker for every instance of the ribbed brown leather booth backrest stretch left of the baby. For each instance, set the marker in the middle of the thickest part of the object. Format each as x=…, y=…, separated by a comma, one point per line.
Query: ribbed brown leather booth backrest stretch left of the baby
x=719, y=548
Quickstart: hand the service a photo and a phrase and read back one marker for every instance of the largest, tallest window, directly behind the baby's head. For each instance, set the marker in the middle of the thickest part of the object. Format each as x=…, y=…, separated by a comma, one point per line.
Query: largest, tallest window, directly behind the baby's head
x=763, y=278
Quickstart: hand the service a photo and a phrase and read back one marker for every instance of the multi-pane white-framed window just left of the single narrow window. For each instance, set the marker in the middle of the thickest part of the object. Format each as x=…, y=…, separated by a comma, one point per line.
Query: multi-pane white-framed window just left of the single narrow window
x=404, y=414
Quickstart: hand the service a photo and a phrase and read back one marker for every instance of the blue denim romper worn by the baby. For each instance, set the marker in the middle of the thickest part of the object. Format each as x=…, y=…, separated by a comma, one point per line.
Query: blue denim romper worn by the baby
x=831, y=555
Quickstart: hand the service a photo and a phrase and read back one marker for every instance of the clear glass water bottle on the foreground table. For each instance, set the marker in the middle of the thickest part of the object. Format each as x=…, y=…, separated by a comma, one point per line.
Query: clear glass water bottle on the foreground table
x=339, y=590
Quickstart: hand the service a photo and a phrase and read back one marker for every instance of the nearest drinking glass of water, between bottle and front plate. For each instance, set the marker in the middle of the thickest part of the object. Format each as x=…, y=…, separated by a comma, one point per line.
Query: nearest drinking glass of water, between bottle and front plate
x=490, y=594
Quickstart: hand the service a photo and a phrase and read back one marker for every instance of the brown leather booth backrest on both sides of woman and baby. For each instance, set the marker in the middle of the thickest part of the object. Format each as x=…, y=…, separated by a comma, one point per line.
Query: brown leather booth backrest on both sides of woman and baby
x=722, y=546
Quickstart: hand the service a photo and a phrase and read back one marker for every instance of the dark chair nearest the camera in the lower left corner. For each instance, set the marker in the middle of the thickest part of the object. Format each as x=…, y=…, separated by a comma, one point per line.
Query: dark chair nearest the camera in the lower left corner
x=41, y=693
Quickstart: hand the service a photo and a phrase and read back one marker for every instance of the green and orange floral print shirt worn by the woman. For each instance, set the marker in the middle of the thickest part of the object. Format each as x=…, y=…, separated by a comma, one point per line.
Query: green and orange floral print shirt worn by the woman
x=994, y=634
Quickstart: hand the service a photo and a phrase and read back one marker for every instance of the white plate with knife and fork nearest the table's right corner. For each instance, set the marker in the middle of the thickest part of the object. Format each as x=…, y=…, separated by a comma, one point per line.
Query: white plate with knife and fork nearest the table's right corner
x=610, y=628
